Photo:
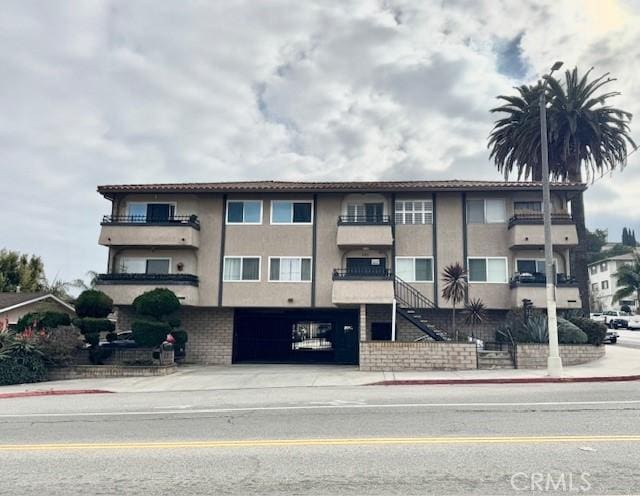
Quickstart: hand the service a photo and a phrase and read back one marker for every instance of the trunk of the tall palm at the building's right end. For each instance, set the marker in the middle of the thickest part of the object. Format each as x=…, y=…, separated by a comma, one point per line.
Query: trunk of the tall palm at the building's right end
x=579, y=269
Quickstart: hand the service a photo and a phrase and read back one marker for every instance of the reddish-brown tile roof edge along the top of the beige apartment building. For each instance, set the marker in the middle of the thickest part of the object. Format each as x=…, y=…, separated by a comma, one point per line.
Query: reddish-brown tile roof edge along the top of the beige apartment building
x=343, y=186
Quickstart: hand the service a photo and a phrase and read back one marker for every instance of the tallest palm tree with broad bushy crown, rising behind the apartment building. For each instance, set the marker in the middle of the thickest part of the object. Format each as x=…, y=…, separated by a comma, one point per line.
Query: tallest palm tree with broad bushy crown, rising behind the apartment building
x=586, y=135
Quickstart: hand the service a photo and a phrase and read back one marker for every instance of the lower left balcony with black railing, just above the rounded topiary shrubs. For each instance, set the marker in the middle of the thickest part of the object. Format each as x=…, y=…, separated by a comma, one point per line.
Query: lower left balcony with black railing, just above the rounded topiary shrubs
x=124, y=288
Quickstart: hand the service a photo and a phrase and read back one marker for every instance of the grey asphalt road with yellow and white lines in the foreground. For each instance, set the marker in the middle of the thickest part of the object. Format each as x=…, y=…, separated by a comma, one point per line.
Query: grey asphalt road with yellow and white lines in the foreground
x=551, y=438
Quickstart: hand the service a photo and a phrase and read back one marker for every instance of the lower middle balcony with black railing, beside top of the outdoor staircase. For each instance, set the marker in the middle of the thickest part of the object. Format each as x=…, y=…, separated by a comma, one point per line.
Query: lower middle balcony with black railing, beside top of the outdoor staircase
x=362, y=286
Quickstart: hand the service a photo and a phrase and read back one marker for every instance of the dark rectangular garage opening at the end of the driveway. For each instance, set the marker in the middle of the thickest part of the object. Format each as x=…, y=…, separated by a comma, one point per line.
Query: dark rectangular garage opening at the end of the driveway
x=295, y=336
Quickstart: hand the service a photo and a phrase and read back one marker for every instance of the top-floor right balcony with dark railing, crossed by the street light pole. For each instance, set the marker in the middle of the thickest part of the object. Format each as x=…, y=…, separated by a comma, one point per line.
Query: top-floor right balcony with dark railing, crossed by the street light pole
x=527, y=231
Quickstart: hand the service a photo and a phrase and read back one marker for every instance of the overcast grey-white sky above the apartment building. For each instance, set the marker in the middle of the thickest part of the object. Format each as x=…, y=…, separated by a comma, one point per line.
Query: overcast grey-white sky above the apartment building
x=100, y=92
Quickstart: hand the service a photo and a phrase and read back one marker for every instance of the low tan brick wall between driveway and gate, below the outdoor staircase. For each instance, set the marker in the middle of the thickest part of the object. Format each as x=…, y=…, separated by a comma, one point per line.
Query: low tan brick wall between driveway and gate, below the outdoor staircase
x=424, y=355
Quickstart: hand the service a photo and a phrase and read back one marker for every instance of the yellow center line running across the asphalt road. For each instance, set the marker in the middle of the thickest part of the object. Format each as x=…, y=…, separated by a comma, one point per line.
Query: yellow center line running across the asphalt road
x=256, y=443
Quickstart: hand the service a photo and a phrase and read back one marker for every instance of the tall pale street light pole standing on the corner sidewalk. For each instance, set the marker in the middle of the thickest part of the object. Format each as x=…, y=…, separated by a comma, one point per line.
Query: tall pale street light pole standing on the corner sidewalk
x=554, y=362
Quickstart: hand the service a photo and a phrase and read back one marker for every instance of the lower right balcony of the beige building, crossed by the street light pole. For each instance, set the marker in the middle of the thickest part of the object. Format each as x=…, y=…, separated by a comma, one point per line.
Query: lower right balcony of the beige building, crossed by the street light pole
x=533, y=287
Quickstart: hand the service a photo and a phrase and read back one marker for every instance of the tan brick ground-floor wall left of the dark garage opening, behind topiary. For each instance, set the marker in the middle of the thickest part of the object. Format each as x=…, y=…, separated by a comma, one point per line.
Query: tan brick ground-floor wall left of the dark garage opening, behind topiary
x=210, y=333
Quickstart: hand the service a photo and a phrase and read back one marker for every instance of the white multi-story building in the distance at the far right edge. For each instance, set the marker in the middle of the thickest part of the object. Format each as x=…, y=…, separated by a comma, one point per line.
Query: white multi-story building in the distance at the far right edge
x=603, y=283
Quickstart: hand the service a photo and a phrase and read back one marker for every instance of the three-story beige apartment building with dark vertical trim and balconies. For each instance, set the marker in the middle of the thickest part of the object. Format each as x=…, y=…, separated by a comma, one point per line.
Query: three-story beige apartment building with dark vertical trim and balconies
x=296, y=271
